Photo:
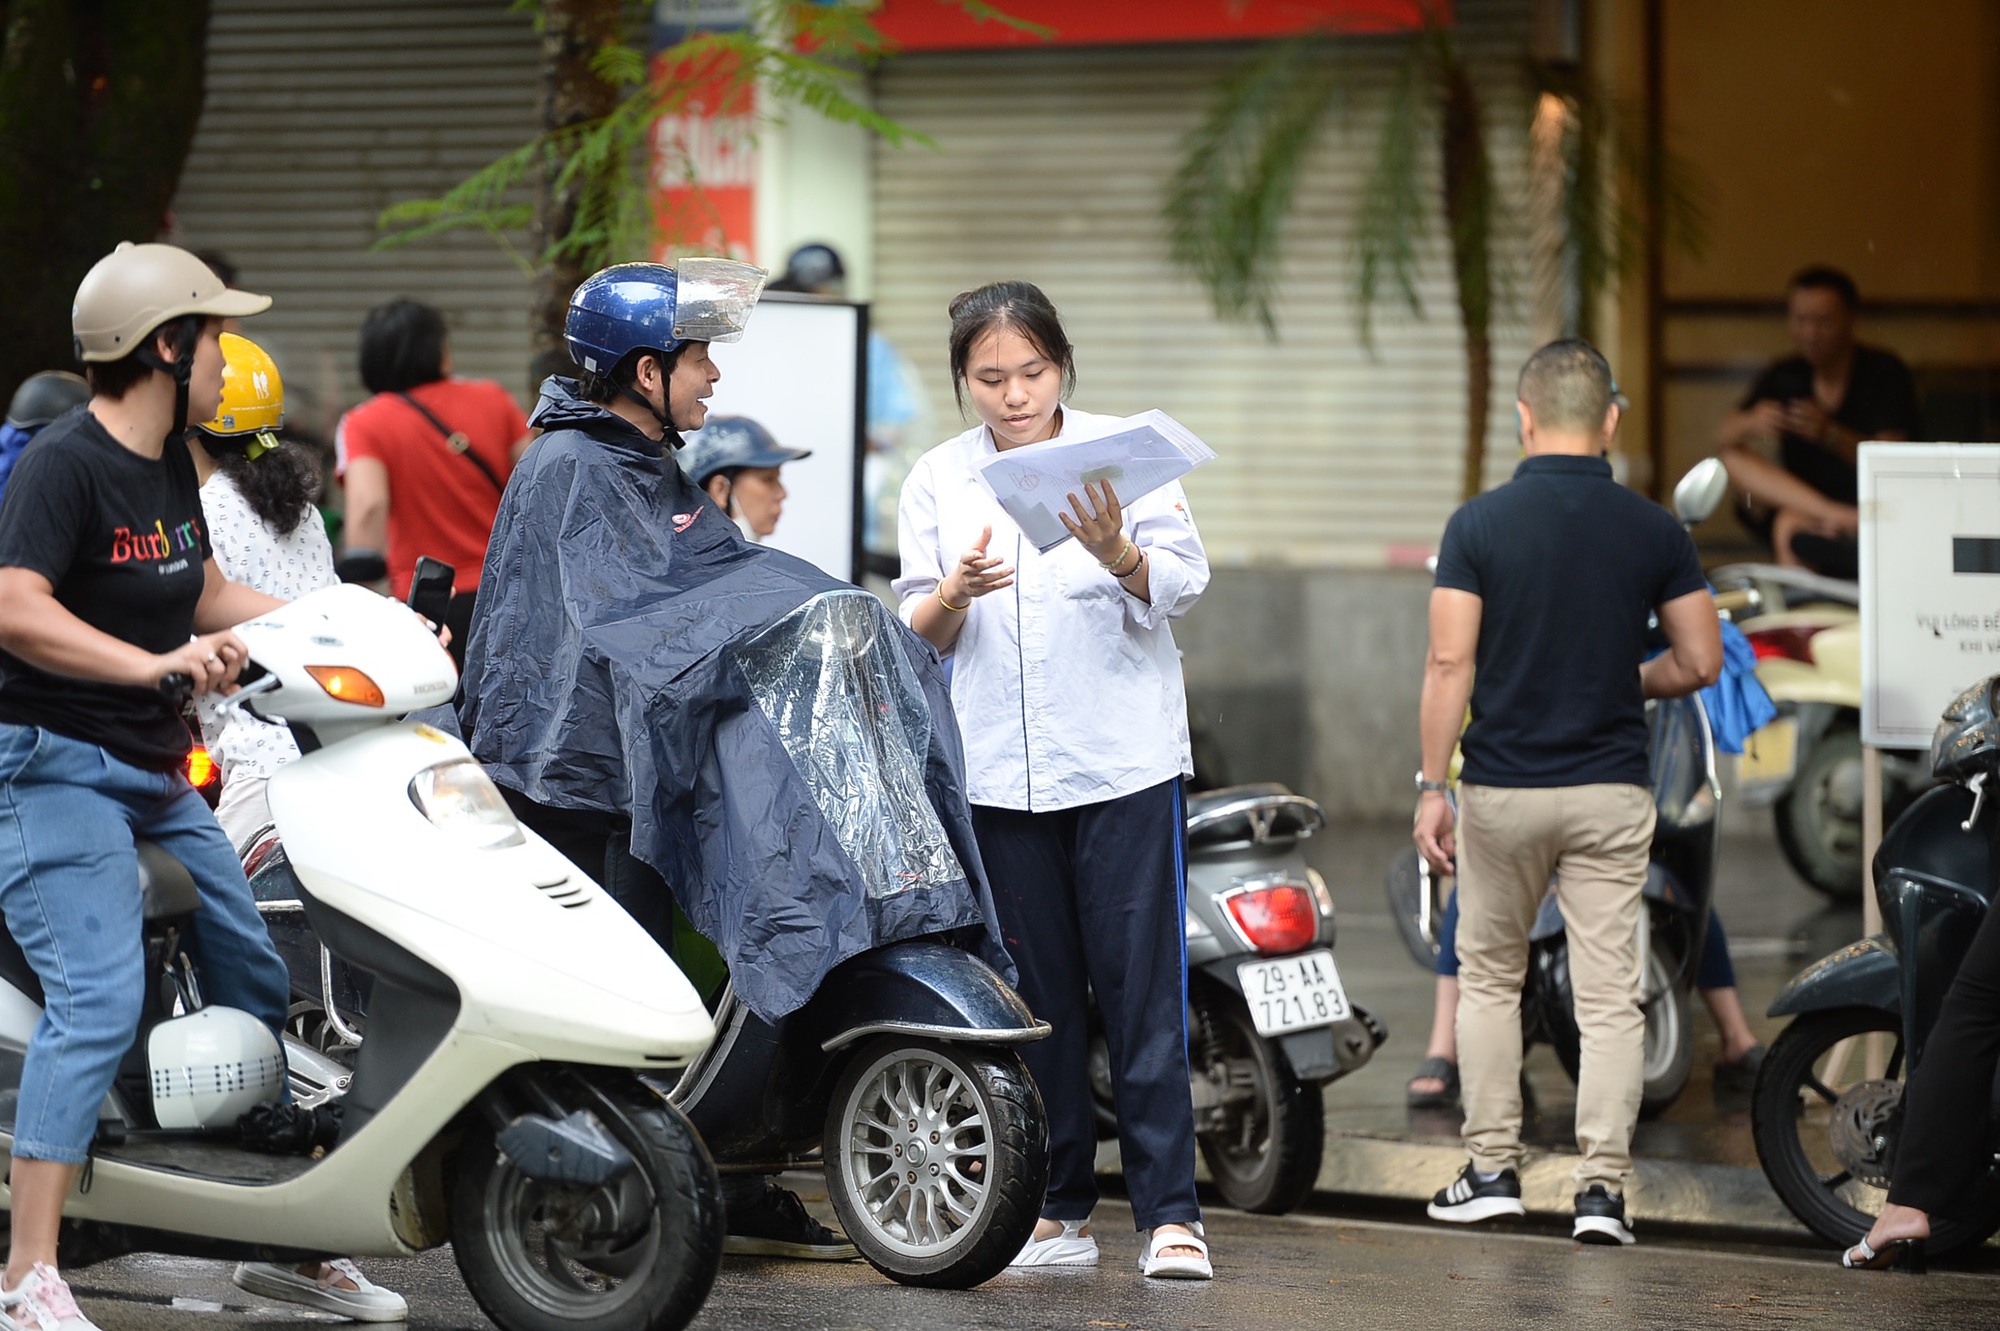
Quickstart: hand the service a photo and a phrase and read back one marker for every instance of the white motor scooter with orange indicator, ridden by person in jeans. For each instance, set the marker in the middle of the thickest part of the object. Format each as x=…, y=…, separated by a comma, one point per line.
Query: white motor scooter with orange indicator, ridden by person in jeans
x=501, y=1100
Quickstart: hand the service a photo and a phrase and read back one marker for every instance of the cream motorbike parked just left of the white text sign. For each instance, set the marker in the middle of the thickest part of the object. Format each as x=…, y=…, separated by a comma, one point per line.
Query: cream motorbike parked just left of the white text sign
x=1807, y=762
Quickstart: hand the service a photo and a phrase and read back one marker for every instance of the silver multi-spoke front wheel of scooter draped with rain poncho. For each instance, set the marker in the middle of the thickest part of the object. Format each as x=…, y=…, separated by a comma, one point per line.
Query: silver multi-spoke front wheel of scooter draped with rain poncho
x=937, y=1158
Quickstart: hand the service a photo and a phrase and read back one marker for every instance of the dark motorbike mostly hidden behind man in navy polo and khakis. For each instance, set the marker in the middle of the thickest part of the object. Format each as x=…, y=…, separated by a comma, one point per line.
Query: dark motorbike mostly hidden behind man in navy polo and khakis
x=1681, y=878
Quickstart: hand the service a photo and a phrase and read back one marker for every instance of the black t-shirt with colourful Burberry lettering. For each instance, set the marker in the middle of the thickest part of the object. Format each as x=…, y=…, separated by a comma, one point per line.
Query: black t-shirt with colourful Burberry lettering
x=123, y=543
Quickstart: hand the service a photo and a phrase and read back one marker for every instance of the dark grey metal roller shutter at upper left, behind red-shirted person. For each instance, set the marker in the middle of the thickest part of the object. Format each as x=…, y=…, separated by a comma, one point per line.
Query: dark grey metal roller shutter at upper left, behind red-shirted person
x=323, y=115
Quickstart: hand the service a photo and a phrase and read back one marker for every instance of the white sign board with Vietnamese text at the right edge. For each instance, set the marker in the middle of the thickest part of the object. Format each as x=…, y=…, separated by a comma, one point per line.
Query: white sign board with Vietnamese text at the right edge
x=1931, y=583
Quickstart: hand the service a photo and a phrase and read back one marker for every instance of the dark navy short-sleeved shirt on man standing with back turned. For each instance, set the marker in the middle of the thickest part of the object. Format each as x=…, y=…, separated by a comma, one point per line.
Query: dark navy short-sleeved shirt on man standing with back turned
x=1567, y=565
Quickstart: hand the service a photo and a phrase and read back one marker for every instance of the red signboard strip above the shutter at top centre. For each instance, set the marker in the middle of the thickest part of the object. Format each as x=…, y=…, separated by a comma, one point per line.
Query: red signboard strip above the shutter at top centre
x=941, y=25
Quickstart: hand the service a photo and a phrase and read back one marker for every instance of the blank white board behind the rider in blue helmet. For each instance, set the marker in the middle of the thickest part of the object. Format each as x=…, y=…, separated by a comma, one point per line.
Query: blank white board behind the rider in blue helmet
x=799, y=375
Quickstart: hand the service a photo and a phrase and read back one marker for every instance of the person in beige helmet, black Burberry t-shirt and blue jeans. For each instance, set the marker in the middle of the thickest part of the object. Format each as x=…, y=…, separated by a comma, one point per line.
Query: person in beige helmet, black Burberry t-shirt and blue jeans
x=107, y=589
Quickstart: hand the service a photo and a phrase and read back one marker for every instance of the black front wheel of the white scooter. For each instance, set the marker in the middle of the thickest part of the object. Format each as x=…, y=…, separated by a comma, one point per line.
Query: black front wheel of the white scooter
x=637, y=1254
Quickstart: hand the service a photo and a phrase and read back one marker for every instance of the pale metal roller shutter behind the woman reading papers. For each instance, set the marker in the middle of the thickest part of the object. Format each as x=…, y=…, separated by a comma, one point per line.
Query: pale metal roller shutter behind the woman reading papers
x=1051, y=167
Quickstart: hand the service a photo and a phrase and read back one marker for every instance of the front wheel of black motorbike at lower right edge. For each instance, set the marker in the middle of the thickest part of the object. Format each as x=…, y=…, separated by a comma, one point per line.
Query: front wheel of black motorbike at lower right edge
x=1817, y=1120
